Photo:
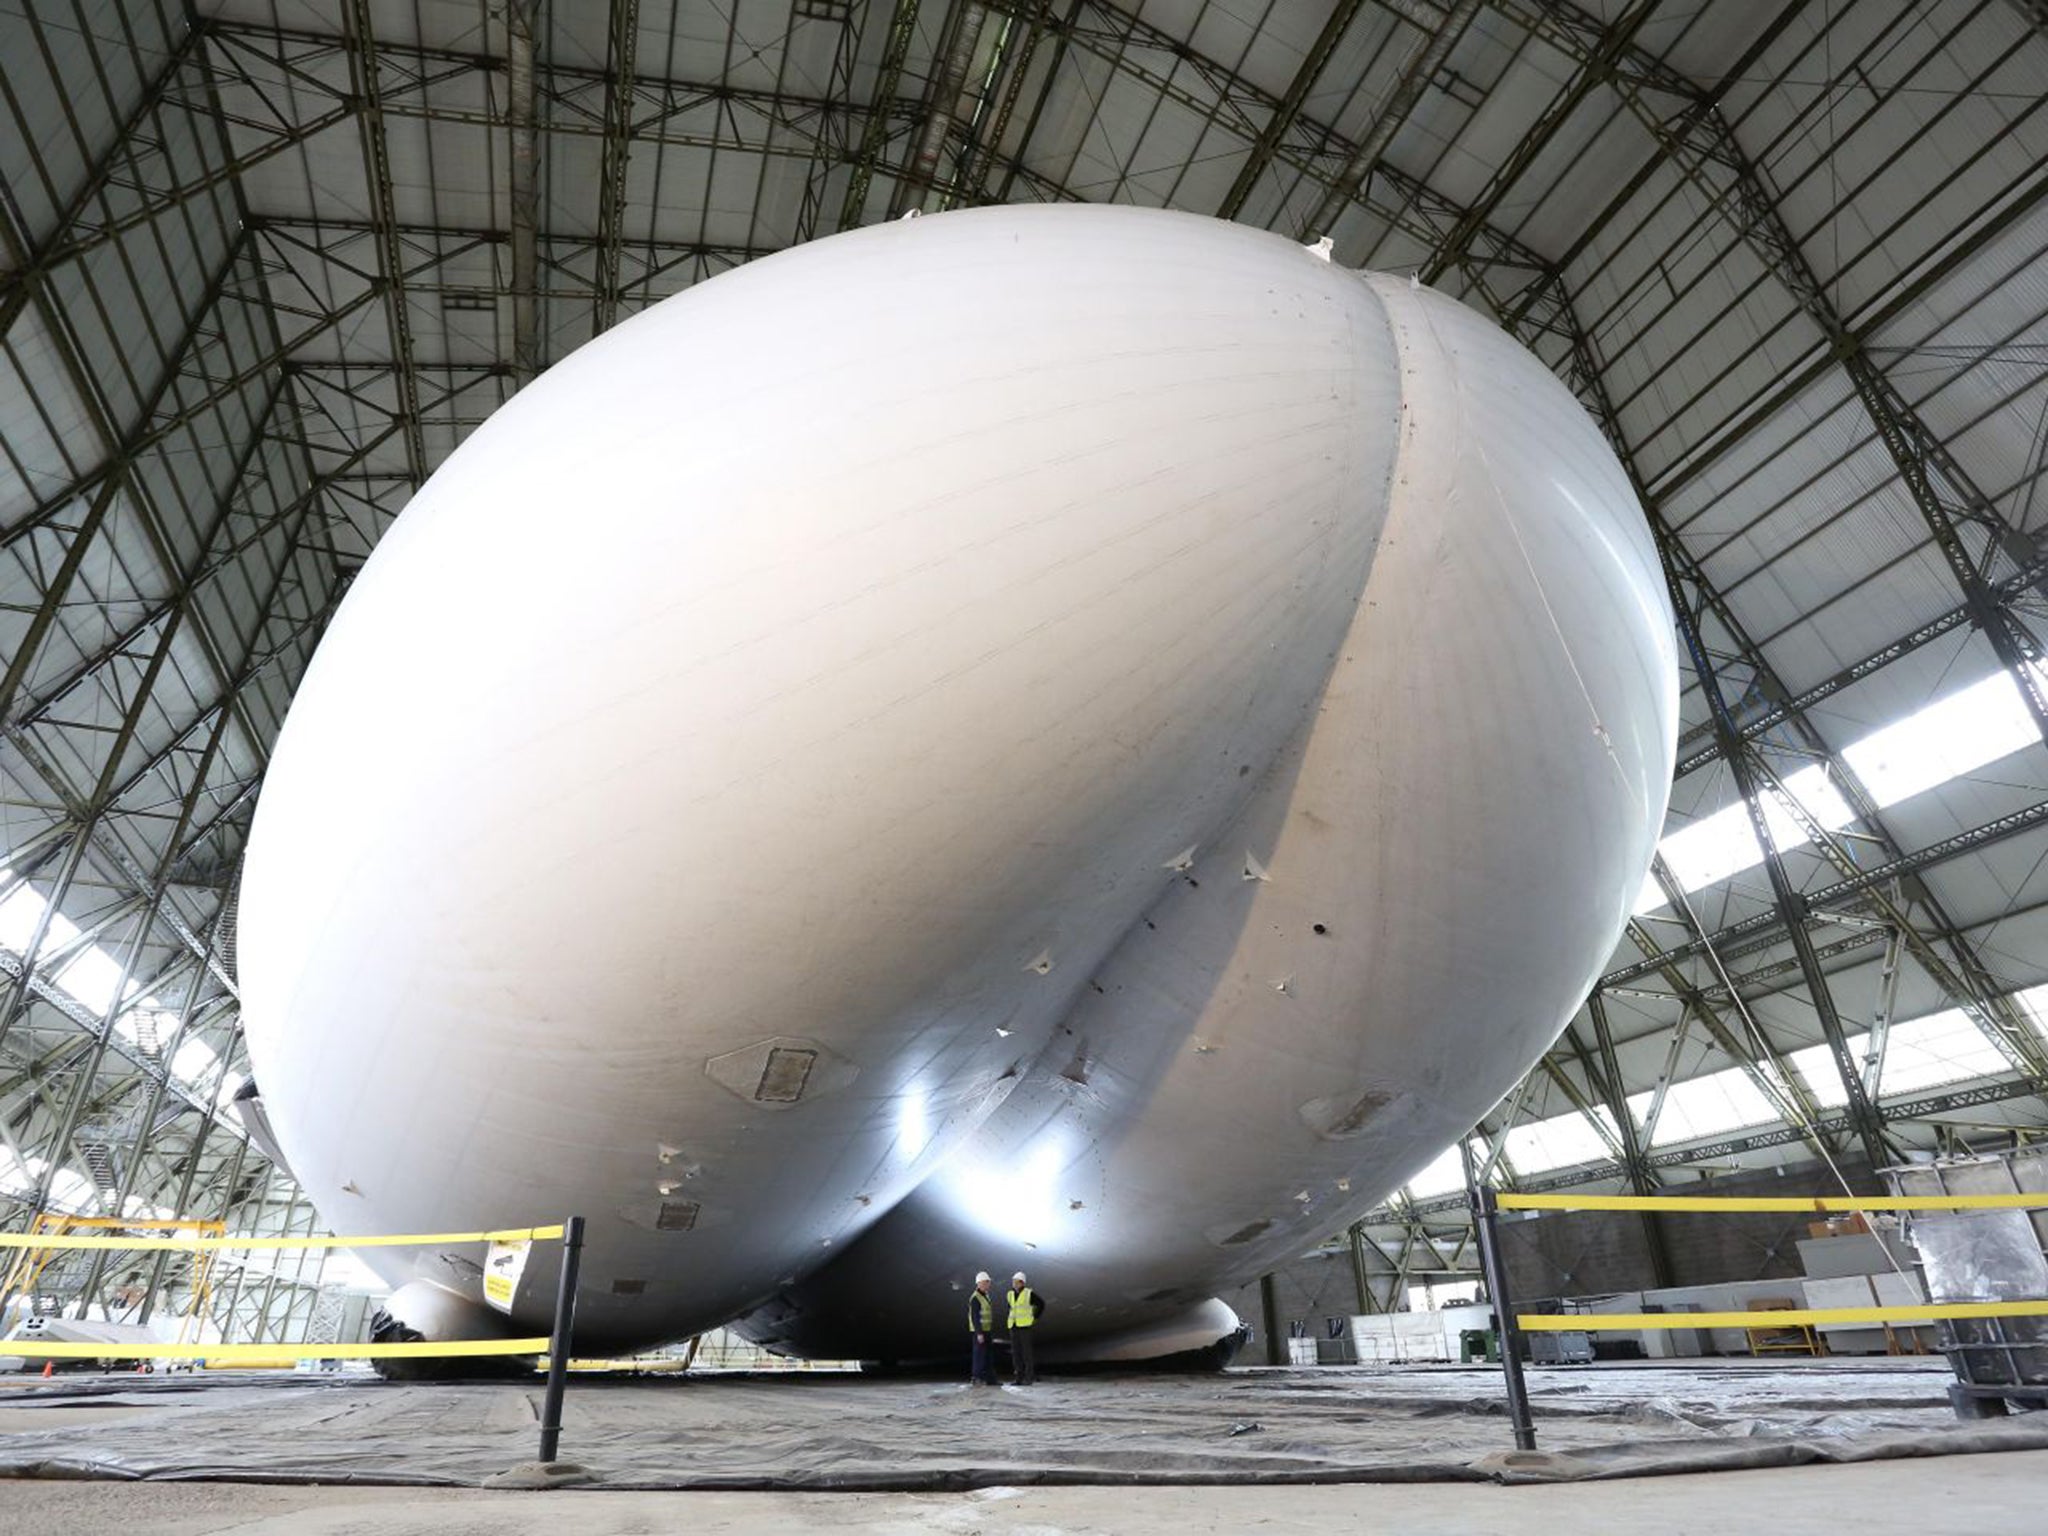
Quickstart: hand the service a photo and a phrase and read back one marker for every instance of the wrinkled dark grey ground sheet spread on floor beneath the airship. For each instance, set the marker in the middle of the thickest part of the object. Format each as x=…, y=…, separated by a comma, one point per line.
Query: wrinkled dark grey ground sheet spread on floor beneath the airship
x=816, y=1431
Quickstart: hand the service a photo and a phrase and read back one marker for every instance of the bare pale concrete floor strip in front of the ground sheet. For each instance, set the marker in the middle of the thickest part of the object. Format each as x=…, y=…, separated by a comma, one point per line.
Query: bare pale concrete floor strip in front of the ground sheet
x=1986, y=1496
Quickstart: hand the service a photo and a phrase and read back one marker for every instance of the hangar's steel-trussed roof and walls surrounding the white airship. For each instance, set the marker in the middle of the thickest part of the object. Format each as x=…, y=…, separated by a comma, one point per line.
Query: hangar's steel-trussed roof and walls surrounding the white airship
x=267, y=263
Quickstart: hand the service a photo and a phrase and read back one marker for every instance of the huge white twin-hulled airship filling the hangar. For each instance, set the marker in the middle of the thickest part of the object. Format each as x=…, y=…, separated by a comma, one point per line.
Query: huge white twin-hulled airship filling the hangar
x=1076, y=740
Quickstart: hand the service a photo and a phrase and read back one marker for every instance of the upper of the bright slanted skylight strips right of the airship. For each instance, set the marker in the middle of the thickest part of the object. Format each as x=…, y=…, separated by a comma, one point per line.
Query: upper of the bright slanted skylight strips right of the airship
x=1945, y=740
